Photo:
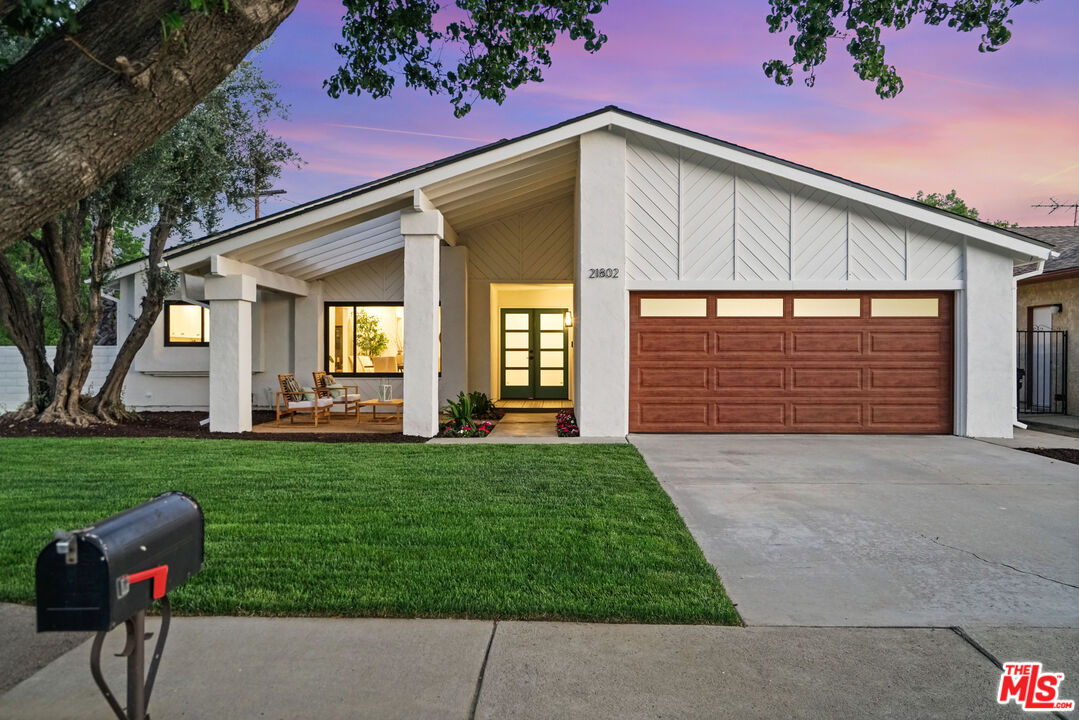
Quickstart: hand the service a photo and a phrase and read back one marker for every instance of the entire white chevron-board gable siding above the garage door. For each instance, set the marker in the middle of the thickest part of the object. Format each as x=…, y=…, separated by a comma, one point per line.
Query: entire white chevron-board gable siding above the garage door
x=693, y=218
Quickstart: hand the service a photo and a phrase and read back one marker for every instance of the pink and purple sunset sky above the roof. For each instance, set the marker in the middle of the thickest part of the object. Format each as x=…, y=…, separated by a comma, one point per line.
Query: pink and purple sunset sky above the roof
x=1003, y=129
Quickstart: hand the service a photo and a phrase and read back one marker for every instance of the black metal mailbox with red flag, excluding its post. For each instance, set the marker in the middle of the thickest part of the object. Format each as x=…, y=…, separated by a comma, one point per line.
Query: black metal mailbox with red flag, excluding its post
x=101, y=576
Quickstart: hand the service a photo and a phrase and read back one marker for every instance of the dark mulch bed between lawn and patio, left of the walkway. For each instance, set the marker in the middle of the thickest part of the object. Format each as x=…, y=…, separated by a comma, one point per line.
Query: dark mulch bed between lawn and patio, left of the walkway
x=186, y=425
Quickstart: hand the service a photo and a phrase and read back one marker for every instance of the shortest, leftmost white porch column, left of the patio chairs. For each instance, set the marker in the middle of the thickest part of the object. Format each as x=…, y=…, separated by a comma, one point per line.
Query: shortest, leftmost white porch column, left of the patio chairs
x=230, y=352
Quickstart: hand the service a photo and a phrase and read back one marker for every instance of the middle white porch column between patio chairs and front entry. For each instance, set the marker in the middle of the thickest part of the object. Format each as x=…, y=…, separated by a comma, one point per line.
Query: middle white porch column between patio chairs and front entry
x=424, y=235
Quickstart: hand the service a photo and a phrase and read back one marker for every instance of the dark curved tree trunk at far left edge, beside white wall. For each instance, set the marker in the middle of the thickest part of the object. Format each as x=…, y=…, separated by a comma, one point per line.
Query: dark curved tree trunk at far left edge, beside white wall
x=22, y=319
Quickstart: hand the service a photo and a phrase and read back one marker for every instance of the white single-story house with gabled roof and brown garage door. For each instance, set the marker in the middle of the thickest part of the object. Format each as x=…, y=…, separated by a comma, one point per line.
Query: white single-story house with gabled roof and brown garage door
x=658, y=279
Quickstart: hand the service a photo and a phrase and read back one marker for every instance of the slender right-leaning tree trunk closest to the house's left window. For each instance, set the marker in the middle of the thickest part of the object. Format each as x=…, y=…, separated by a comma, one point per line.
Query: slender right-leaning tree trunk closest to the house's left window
x=108, y=404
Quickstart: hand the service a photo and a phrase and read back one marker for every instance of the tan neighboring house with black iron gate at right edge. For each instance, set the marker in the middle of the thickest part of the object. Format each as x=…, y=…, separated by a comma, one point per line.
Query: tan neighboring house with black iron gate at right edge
x=1048, y=304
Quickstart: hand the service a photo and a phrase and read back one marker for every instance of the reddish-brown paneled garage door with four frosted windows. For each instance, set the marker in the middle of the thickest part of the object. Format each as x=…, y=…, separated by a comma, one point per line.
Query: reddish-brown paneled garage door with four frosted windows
x=791, y=363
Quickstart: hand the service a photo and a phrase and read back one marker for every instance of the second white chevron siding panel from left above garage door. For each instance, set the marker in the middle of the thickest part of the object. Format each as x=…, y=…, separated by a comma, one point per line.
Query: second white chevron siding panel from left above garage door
x=707, y=219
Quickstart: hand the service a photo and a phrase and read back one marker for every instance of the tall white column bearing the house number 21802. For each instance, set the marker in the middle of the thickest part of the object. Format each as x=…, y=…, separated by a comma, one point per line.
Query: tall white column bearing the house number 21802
x=602, y=327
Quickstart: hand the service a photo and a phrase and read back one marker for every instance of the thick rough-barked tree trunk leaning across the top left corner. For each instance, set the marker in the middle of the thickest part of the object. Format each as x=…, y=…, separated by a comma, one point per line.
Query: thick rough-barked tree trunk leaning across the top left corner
x=78, y=110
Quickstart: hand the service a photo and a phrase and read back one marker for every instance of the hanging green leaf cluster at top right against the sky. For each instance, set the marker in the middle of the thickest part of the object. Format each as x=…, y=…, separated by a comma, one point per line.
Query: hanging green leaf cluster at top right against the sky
x=862, y=23
